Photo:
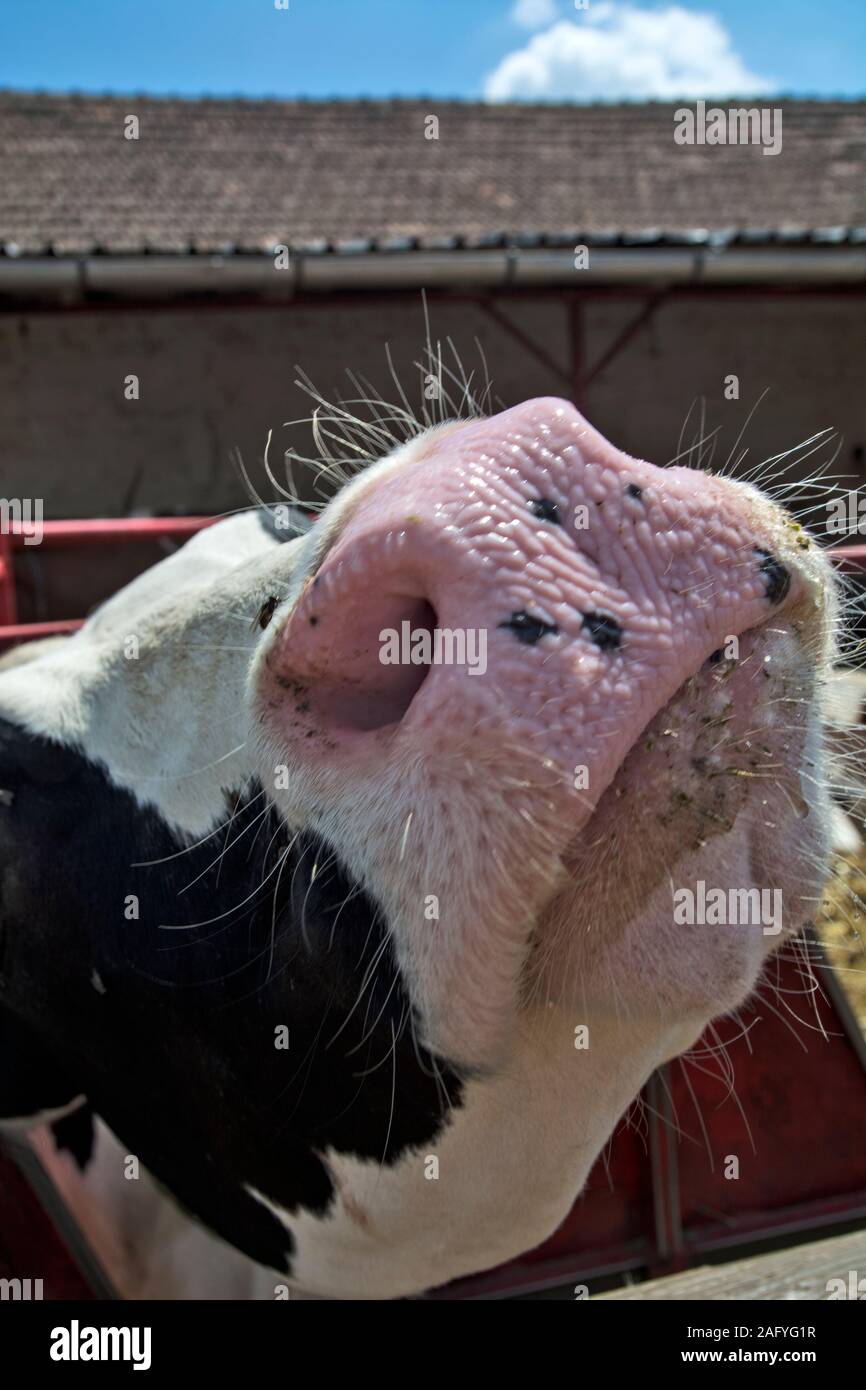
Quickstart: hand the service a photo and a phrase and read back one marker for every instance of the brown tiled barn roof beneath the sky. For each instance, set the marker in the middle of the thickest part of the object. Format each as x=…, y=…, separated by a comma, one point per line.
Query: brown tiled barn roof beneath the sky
x=215, y=176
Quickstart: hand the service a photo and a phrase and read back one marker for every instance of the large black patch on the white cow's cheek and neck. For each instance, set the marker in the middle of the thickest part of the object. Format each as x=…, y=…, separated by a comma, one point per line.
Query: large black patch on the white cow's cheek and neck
x=174, y=1046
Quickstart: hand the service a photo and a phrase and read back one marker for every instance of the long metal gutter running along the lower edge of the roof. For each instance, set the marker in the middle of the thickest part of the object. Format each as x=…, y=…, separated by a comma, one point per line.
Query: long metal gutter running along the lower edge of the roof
x=161, y=277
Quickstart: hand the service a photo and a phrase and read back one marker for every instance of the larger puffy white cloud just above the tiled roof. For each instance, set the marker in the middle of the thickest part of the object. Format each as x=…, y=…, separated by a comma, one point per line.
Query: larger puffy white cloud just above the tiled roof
x=618, y=52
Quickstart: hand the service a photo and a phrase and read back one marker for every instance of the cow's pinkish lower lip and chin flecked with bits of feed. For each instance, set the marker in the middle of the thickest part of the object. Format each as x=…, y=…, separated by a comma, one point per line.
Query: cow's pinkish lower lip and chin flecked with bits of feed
x=722, y=794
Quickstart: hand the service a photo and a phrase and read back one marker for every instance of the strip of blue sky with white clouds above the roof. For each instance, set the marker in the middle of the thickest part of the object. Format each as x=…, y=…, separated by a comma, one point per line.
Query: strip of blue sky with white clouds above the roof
x=501, y=49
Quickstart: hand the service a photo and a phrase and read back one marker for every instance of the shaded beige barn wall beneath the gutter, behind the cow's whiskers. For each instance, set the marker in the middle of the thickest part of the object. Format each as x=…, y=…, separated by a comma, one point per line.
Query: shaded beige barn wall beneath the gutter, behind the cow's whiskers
x=213, y=380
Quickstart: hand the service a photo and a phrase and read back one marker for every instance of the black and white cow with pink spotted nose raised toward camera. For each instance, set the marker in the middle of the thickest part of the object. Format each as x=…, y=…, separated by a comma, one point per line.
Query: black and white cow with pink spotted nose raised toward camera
x=363, y=957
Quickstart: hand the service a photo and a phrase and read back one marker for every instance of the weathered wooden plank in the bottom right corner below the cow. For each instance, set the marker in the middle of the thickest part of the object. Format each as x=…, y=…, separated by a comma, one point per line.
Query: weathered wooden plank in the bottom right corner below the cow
x=800, y=1273
